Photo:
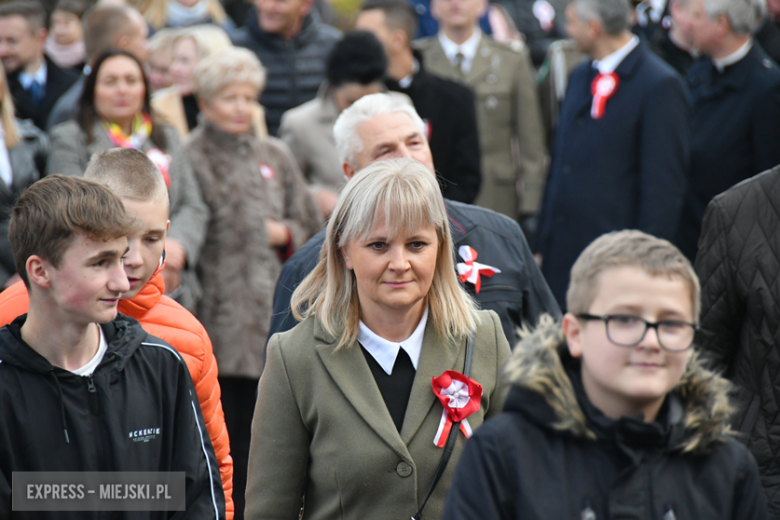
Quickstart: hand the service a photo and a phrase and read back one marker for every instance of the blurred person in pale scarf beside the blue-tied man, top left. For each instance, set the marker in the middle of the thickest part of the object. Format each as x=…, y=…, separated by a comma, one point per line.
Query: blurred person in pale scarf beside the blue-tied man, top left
x=65, y=43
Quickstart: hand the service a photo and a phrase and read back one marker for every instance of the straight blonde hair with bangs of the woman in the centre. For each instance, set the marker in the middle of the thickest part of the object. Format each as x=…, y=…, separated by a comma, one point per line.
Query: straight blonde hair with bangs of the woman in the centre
x=406, y=195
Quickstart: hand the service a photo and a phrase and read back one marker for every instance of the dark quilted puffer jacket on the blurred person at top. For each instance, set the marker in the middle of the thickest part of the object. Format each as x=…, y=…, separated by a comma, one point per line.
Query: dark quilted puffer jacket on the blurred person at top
x=295, y=68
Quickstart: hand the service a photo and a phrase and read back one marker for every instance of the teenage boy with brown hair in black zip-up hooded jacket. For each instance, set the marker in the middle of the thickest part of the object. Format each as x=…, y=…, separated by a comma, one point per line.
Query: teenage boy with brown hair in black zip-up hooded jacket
x=75, y=378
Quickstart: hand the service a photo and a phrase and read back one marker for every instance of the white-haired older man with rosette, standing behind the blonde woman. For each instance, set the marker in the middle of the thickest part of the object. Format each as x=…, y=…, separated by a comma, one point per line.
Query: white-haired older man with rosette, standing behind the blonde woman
x=496, y=264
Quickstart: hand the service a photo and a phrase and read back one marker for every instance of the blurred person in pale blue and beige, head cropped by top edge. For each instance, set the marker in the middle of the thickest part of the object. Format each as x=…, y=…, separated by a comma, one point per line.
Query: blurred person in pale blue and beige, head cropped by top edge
x=186, y=13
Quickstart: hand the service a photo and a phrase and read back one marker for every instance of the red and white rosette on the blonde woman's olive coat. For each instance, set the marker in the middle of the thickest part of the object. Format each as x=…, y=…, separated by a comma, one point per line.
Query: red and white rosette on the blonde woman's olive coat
x=460, y=397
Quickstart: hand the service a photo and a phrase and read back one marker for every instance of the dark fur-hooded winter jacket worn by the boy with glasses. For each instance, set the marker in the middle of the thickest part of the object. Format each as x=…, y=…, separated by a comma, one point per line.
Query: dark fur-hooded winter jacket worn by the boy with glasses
x=553, y=455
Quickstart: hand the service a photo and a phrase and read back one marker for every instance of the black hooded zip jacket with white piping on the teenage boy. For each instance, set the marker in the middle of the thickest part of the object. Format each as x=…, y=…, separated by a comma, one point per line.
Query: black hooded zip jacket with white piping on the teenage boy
x=54, y=420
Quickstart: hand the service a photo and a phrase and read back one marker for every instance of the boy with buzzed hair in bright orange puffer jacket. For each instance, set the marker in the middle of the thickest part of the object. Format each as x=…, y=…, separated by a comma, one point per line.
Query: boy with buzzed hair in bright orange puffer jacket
x=132, y=176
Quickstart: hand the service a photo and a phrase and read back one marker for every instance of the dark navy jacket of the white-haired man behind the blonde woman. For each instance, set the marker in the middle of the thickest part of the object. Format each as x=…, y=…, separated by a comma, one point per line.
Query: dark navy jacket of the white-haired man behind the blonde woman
x=518, y=294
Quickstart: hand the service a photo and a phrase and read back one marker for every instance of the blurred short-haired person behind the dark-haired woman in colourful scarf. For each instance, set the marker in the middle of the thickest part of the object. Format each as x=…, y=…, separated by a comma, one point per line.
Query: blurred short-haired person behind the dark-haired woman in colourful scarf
x=105, y=27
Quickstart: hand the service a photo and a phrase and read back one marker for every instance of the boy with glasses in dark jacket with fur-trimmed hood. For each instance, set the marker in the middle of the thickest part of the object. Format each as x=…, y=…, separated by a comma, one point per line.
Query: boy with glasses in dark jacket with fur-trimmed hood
x=612, y=414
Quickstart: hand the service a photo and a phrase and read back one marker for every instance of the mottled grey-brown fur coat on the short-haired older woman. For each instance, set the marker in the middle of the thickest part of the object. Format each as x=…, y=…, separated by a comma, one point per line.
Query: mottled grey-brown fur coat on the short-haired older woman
x=245, y=180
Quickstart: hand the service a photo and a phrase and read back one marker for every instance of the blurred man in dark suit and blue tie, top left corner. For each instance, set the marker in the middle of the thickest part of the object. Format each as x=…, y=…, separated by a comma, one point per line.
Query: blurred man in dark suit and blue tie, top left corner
x=34, y=80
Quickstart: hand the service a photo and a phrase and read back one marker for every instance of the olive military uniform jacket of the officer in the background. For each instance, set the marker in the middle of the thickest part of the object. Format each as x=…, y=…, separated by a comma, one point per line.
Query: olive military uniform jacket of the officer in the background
x=509, y=119
